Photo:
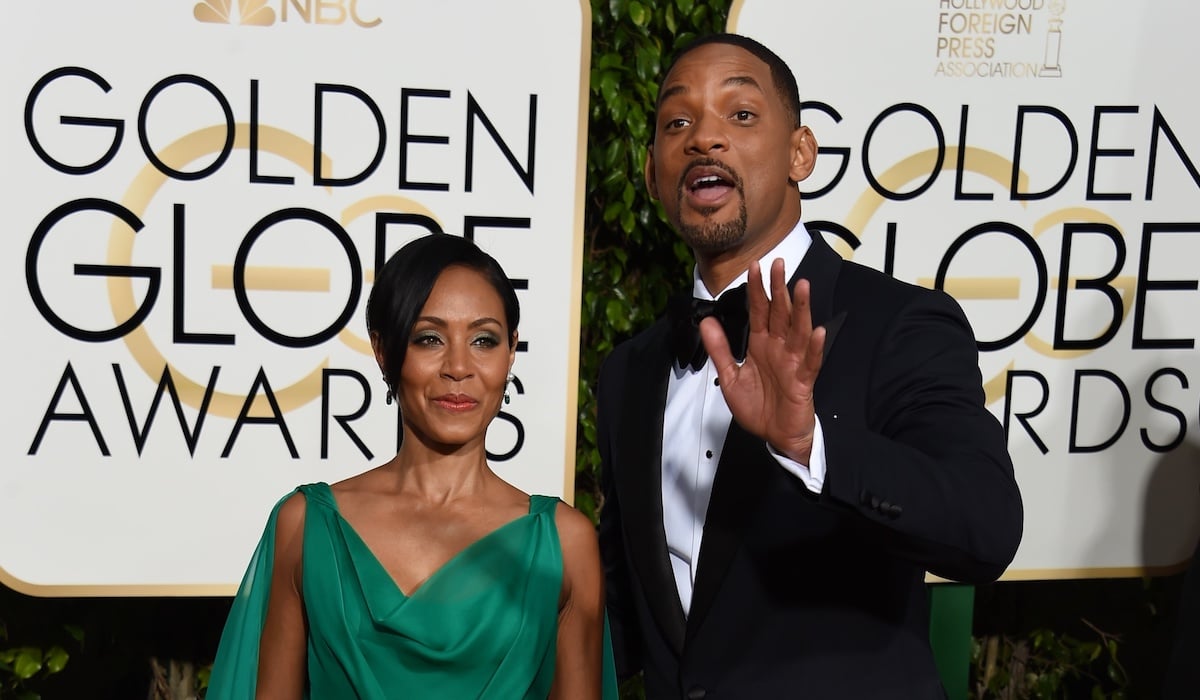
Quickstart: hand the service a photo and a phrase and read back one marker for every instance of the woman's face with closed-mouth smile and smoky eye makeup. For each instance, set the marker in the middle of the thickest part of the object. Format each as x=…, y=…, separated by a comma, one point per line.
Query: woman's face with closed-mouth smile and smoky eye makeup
x=458, y=362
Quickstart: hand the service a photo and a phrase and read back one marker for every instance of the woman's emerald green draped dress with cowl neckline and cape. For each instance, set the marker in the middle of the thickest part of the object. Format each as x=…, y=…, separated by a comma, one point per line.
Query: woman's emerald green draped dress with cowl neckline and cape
x=483, y=626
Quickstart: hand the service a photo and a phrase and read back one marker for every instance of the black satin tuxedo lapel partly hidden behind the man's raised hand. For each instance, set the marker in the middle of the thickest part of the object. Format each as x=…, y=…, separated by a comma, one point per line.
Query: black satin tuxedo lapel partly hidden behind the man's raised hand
x=743, y=471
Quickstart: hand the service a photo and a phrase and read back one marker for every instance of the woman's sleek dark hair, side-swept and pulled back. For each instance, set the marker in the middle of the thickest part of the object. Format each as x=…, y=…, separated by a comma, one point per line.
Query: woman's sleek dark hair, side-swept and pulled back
x=404, y=286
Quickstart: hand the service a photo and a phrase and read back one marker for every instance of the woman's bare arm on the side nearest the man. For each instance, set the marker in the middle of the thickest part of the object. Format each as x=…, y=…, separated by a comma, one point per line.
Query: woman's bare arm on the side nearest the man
x=581, y=611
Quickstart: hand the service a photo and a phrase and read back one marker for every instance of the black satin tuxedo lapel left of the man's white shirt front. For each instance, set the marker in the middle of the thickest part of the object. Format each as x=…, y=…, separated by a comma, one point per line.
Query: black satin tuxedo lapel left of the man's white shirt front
x=640, y=456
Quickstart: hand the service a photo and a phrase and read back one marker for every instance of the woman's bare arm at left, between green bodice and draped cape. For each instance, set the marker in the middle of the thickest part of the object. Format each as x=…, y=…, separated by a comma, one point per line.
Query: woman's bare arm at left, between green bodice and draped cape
x=283, y=654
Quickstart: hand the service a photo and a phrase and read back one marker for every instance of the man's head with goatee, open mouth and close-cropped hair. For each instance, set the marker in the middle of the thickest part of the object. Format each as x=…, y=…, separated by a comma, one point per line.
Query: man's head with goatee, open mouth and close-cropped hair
x=727, y=154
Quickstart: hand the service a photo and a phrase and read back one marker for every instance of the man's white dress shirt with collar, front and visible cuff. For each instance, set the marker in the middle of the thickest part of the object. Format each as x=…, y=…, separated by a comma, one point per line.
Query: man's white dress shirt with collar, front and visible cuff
x=694, y=428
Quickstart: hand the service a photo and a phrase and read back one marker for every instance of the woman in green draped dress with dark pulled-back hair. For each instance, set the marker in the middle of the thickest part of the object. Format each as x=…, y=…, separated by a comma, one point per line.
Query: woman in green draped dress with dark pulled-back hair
x=428, y=576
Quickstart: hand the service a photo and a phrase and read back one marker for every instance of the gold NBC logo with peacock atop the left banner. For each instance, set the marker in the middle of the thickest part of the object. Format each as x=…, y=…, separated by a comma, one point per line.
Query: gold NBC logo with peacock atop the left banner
x=268, y=14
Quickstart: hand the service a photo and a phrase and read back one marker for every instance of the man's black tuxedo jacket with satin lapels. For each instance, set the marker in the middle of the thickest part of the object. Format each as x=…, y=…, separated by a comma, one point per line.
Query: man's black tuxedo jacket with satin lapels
x=801, y=595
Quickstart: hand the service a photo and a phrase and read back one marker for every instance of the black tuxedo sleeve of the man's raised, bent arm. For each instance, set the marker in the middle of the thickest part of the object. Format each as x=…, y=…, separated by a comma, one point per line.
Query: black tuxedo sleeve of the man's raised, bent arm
x=923, y=458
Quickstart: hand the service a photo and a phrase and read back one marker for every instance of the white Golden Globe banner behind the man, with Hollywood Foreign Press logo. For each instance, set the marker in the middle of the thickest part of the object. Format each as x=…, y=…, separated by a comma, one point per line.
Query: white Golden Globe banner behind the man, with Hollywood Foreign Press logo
x=1039, y=160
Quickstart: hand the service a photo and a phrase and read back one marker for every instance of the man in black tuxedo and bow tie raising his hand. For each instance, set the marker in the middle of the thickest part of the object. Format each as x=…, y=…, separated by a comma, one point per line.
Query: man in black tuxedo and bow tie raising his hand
x=769, y=523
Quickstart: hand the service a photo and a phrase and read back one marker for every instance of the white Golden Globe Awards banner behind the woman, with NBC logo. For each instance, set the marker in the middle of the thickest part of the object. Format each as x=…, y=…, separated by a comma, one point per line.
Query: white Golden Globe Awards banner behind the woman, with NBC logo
x=196, y=198
